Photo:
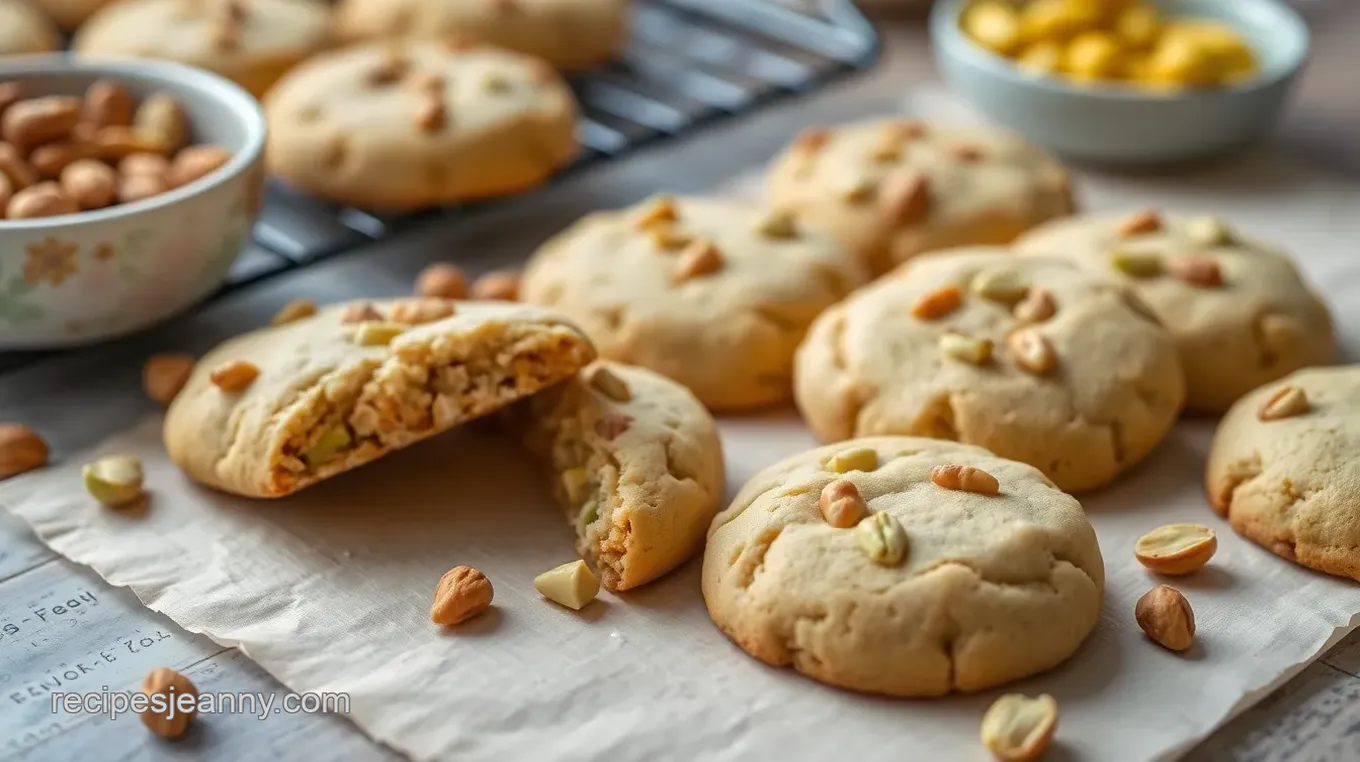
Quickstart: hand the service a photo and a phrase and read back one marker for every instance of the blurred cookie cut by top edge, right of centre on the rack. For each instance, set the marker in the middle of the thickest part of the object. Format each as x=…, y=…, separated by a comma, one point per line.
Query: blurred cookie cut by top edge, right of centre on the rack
x=569, y=35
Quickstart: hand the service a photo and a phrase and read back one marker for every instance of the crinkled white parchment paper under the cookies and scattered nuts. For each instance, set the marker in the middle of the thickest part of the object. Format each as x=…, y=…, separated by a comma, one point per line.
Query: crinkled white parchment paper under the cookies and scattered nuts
x=330, y=591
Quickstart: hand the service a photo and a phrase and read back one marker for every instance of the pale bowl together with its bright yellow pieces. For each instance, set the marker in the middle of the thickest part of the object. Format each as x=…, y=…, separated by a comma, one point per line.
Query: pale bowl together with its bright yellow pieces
x=1124, y=82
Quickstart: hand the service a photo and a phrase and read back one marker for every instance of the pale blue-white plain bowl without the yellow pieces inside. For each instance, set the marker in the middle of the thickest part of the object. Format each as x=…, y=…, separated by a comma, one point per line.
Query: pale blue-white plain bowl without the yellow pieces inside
x=1127, y=126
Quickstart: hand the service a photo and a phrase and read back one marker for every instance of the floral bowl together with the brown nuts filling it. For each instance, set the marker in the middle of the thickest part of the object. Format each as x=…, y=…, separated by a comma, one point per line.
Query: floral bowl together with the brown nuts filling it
x=127, y=191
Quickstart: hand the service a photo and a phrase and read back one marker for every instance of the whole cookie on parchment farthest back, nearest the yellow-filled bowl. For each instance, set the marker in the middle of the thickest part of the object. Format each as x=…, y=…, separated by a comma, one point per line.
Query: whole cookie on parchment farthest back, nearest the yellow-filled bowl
x=894, y=188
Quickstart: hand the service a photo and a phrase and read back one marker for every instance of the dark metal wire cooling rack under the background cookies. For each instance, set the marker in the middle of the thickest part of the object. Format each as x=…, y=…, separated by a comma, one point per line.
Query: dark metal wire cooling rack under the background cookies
x=689, y=63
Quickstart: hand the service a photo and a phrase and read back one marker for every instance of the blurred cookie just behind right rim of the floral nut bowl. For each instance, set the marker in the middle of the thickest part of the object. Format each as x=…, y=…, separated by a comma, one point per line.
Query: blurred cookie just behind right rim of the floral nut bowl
x=252, y=43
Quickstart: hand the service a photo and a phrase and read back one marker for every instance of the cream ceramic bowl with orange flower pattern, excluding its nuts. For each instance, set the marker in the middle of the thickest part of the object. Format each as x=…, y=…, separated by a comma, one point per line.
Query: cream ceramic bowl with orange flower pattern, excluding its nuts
x=95, y=276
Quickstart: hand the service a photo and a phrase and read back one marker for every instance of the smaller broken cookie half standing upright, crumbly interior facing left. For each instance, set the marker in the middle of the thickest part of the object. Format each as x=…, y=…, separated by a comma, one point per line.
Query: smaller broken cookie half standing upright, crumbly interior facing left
x=636, y=462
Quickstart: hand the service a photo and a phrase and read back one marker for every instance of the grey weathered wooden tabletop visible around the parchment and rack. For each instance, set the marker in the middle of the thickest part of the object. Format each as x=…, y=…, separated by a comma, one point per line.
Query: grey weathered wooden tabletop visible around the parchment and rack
x=63, y=629
